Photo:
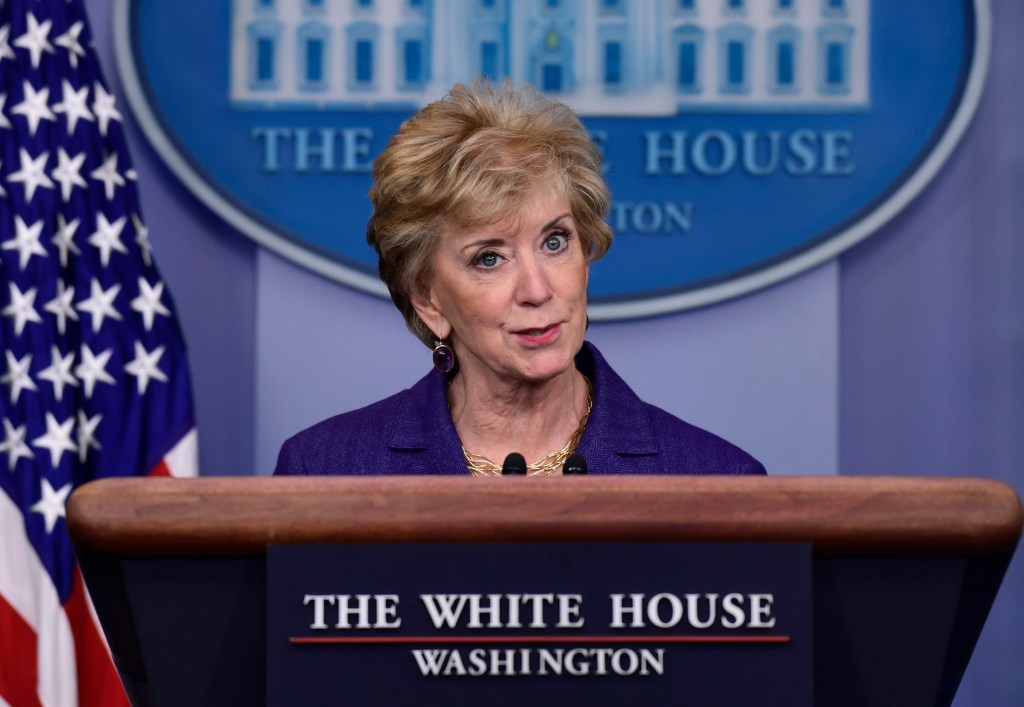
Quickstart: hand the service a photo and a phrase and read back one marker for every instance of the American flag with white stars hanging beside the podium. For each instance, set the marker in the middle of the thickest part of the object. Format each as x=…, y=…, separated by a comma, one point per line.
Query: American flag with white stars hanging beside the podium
x=94, y=380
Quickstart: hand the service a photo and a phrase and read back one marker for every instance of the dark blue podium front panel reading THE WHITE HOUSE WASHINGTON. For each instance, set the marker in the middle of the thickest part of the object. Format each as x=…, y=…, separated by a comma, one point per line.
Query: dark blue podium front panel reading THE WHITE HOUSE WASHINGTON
x=502, y=625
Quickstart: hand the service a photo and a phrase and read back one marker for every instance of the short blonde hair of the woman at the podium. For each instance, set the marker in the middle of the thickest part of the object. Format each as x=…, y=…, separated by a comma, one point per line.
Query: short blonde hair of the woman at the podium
x=472, y=159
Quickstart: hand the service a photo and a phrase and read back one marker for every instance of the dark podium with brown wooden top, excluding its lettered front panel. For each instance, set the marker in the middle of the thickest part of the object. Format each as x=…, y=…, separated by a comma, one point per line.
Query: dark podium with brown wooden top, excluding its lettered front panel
x=905, y=569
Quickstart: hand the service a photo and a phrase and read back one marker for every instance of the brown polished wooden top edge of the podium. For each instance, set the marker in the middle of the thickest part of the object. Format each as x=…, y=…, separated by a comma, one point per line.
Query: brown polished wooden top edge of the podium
x=240, y=516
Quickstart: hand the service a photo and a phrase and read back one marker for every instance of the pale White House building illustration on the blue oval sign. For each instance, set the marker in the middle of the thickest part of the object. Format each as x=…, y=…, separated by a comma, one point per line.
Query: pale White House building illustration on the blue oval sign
x=602, y=57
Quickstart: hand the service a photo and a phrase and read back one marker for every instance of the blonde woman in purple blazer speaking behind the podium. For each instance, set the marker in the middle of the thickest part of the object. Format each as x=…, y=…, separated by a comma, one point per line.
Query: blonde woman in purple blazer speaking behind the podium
x=489, y=207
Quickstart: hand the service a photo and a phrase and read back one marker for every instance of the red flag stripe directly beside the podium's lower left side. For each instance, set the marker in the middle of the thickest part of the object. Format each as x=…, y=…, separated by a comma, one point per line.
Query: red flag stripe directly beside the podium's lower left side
x=98, y=680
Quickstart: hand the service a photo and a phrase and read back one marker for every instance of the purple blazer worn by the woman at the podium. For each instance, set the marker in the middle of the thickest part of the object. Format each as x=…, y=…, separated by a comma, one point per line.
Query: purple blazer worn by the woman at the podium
x=412, y=433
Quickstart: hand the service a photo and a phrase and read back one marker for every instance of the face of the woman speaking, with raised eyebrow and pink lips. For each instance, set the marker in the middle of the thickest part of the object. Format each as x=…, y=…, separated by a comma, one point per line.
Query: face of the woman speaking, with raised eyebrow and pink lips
x=513, y=297
